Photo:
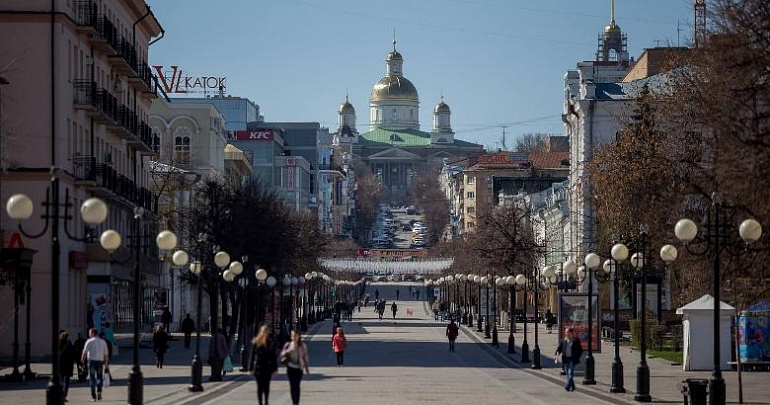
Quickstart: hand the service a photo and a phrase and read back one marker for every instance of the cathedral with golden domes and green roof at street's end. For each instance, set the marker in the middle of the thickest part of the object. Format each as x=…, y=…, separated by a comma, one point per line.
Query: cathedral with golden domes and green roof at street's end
x=394, y=147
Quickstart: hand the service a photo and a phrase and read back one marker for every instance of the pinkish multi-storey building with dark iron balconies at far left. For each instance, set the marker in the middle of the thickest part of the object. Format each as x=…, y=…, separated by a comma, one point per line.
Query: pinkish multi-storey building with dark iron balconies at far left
x=75, y=96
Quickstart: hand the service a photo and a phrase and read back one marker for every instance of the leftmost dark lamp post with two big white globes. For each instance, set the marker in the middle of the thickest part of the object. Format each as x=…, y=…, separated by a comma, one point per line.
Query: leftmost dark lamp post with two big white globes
x=93, y=212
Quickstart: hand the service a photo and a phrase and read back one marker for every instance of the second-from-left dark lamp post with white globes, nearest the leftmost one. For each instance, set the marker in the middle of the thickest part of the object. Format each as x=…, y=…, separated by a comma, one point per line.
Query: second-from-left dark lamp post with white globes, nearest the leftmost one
x=166, y=241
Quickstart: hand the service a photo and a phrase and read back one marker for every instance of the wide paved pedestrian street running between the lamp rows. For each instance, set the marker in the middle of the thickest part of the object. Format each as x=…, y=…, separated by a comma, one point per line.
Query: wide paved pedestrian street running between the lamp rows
x=401, y=361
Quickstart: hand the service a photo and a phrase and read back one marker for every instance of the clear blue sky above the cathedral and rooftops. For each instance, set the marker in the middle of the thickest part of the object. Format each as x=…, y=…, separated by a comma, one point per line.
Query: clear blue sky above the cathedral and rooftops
x=499, y=64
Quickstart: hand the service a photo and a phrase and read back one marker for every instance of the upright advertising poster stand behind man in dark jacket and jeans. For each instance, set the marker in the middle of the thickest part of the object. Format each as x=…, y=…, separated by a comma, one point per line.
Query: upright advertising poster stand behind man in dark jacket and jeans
x=573, y=313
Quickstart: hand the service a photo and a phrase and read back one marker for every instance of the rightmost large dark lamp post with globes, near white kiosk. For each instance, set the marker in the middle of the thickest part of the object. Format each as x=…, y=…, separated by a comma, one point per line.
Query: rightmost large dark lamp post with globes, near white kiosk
x=714, y=241
